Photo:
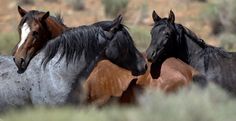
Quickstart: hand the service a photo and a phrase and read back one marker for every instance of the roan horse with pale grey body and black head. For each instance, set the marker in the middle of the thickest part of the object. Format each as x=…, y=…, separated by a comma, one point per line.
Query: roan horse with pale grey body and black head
x=53, y=84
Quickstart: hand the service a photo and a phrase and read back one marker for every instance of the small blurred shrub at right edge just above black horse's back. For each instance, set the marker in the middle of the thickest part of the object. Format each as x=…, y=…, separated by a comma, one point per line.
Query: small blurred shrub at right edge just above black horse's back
x=228, y=41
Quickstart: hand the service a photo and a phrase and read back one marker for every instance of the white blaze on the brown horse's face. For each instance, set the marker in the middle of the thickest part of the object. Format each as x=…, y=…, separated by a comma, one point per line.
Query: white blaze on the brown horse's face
x=25, y=30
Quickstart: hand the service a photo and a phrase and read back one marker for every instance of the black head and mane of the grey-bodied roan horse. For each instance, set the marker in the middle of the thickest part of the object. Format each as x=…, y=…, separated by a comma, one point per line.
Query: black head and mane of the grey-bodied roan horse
x=93, y=43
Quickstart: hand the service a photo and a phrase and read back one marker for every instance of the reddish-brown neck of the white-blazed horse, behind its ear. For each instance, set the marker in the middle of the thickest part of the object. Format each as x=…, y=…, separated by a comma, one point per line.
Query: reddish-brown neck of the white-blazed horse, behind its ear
x=55, y=28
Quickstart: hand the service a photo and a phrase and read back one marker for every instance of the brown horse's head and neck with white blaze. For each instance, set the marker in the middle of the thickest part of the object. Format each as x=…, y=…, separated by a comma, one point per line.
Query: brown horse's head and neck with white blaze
x=36, y=28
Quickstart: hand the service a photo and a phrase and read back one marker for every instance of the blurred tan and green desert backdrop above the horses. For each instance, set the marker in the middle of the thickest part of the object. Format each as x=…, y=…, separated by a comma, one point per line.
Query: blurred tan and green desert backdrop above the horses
x=212, y=20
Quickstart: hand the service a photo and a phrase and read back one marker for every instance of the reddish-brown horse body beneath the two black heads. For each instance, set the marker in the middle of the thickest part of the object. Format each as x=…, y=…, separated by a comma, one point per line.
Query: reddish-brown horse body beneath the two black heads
x=108, y=80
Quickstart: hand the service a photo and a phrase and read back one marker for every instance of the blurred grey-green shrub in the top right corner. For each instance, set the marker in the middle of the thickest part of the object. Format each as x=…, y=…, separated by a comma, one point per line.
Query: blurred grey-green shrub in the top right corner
x=220, y=13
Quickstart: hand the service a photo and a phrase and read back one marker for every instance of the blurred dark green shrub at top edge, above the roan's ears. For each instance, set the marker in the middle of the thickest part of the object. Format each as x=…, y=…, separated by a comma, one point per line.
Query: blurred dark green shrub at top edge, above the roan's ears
x=115, y=7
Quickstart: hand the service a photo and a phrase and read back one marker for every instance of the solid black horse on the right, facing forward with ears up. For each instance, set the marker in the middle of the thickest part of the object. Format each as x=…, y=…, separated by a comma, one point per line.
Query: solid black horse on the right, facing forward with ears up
x=174, y=40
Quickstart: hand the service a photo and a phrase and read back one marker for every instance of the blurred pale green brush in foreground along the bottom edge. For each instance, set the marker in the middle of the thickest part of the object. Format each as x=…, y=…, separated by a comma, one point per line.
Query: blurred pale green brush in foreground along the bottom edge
x=190, y=104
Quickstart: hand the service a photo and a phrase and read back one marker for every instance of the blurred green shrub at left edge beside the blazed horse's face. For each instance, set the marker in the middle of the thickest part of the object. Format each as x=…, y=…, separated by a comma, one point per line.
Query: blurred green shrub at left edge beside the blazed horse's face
x=7, y=42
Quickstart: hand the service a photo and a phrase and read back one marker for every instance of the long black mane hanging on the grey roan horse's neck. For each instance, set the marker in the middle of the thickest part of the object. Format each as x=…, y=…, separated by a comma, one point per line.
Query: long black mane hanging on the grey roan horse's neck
x=72, y=42
